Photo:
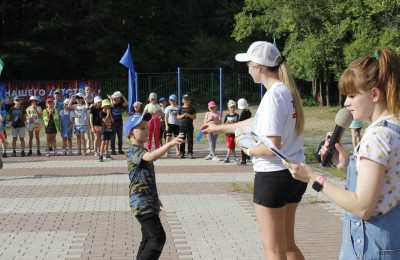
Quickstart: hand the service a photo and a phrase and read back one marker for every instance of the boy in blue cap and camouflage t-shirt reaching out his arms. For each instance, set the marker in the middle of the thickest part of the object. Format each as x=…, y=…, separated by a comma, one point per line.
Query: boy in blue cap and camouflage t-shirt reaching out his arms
x=144, y=201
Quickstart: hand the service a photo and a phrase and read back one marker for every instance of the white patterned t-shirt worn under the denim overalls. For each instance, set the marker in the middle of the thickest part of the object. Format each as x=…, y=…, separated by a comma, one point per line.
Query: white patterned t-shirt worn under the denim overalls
x=381, y=145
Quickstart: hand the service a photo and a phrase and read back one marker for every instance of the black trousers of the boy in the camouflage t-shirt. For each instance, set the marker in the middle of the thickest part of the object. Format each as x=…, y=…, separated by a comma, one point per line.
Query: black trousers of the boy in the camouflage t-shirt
x=153, y=237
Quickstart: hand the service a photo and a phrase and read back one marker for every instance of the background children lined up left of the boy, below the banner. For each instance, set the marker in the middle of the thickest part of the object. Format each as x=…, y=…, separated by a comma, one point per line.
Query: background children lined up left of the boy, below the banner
x=80, y=114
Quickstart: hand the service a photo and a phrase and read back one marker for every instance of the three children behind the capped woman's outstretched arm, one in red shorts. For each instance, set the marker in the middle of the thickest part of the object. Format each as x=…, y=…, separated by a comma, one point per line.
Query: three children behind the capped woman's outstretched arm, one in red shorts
x=215, y=117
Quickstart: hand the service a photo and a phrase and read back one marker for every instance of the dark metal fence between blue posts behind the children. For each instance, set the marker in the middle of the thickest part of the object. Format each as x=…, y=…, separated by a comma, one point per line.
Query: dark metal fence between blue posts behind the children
x=202, y=88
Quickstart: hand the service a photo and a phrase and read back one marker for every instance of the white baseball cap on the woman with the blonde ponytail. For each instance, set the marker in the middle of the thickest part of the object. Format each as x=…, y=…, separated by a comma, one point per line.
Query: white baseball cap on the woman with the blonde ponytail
x=263, y=53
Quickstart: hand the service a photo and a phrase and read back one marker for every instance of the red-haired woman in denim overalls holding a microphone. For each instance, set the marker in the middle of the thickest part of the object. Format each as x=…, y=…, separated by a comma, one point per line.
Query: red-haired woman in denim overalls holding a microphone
x=372, y=218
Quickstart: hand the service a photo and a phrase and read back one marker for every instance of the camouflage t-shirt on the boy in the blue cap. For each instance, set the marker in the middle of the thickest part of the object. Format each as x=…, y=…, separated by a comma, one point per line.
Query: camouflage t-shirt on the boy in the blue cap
x=142, y=188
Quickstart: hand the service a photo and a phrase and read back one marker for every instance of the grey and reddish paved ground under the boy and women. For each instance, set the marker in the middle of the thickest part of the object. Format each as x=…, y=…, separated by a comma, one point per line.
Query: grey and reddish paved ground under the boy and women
x=77, y=208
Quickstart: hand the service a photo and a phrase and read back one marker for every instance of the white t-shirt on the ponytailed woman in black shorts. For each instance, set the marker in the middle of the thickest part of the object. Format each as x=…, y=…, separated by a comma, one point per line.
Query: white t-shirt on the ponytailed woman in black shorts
x=276, y=116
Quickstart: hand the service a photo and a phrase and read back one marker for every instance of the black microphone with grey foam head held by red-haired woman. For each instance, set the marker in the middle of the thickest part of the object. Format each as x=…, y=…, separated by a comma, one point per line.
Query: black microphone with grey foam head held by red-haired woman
x=343, y=120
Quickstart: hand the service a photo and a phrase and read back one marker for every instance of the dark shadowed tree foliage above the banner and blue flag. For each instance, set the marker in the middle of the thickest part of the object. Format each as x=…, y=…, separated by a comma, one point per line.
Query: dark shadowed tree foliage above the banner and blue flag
x=75, y=39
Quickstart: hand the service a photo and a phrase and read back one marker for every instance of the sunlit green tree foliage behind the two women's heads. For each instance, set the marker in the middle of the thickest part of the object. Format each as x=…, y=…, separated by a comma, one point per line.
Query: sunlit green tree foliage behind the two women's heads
x=320, y=37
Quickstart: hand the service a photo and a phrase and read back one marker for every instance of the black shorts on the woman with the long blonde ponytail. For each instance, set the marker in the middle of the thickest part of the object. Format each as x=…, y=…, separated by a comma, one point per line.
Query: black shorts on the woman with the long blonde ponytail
x=276, y=189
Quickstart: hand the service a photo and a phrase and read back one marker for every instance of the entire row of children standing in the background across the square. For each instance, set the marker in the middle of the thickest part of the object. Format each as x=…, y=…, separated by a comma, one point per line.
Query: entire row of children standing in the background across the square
x=96, y=123
